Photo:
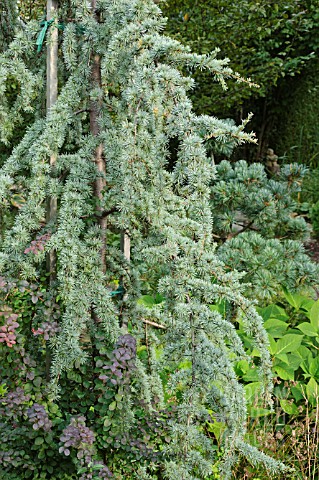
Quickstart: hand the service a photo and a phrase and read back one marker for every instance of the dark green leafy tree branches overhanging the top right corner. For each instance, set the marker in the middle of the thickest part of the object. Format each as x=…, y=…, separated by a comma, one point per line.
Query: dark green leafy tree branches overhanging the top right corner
x=265, y=41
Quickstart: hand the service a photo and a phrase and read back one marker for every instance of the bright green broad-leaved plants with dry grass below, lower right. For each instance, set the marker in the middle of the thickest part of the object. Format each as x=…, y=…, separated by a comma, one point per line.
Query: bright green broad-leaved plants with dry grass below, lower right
x=292, y=431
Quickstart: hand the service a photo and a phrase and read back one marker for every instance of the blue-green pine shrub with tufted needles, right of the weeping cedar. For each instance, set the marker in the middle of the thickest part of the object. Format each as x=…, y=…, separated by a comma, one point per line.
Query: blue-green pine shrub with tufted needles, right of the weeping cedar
x=258, y=228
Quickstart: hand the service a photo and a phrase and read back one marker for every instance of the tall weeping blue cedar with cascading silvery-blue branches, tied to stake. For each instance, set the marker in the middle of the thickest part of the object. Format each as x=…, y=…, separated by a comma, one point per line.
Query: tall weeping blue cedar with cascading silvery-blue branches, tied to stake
x=142, y=105
